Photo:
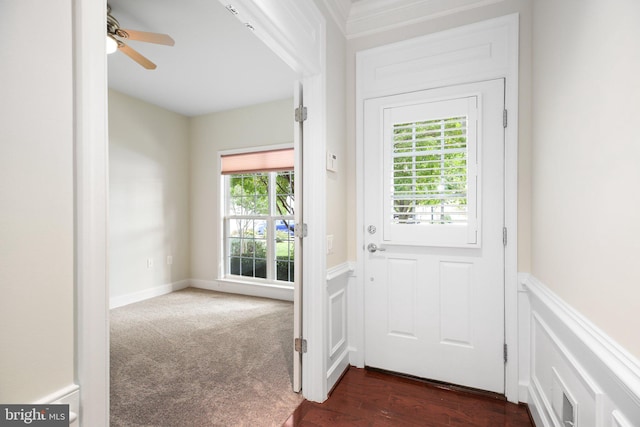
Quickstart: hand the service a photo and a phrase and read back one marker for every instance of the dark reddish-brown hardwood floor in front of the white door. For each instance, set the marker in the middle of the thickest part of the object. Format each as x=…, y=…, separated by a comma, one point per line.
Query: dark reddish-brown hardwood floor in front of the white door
x=370, y=398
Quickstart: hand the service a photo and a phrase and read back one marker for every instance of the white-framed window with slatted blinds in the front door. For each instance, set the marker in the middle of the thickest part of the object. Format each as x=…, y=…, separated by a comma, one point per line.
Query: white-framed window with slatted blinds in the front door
x=431, y=170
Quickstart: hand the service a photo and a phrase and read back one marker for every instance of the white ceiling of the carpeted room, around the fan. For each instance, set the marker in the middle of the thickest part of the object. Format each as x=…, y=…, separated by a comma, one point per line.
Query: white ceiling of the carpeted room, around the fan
x=216, y=64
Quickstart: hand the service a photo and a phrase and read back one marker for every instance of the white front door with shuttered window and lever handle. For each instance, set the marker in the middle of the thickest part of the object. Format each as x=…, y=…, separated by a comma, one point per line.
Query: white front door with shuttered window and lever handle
x=434, y=215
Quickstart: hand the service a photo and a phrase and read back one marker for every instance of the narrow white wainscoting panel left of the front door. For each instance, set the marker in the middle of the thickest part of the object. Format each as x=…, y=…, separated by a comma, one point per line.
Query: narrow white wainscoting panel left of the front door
x=337, y=342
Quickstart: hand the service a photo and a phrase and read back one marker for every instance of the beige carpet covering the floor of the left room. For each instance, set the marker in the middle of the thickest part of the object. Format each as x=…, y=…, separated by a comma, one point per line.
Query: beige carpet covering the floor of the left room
x=197, y=358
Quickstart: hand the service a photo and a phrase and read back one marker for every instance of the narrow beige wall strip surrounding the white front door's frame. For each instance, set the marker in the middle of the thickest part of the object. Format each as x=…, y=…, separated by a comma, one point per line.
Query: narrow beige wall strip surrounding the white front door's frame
x=523, y=7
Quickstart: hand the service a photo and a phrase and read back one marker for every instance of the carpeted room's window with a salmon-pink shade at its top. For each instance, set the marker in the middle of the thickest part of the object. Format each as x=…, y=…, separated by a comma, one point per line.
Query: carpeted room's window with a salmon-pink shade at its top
x=259, y=216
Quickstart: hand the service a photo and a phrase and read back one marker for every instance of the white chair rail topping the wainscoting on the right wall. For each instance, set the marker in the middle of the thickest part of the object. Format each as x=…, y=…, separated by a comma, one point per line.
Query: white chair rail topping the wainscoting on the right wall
x=619, y=362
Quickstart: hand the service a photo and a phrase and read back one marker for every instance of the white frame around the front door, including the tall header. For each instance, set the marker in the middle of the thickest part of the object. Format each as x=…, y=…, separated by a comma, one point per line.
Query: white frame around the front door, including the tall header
x=490, y=50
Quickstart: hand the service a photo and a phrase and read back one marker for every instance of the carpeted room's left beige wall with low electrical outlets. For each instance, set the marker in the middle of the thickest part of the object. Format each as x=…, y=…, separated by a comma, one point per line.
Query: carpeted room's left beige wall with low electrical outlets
x=148, y=195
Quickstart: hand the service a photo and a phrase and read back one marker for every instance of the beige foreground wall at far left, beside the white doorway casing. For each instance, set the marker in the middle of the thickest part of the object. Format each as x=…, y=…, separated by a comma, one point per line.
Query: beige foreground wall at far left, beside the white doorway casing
x=36, y=200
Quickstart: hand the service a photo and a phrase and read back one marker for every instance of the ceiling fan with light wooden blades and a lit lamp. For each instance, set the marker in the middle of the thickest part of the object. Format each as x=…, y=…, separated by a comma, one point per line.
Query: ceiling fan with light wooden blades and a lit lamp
x=115, y=35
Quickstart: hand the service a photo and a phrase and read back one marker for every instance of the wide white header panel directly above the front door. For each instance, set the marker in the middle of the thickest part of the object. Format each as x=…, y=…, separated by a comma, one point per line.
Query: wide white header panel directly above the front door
x=471, y=53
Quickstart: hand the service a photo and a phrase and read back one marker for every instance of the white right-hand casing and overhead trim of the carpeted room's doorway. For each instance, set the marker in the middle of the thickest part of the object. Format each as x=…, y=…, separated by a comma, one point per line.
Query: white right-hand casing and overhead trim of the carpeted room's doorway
x=296, y=32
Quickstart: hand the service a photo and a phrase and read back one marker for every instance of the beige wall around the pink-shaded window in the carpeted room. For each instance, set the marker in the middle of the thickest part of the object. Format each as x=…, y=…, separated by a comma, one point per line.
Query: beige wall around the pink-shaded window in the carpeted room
x=259, y=125
